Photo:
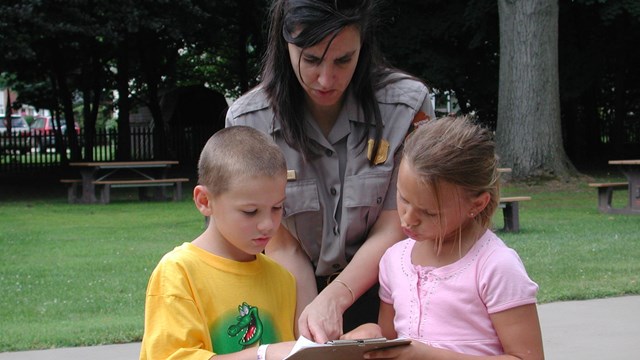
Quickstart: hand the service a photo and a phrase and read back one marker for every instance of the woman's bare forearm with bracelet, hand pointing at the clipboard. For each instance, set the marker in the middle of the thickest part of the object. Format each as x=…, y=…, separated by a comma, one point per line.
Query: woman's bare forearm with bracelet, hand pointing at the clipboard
x=322, y=319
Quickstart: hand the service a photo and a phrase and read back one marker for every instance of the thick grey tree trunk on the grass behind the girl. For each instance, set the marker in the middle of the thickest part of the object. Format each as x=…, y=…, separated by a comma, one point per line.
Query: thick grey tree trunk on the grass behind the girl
x=529, y=134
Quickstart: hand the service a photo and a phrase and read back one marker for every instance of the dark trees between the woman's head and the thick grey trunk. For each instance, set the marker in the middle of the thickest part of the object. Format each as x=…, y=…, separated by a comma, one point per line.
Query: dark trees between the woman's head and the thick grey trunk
x=451, y=44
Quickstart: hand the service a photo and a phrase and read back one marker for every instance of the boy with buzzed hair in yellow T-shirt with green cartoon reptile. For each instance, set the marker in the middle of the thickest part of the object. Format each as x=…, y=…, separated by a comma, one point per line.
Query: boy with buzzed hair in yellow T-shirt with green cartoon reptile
x=219, y=294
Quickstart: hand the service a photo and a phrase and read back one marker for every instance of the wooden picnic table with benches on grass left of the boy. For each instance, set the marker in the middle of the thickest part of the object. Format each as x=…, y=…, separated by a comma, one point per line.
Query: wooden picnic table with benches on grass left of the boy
x=122, y=173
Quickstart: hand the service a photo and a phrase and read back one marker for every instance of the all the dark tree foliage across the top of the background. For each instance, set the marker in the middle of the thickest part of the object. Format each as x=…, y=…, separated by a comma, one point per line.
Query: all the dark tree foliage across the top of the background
x=62, y=52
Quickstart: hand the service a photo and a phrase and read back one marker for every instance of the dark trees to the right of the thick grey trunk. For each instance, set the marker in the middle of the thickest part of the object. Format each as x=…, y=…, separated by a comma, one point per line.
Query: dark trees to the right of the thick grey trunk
x=599, y=79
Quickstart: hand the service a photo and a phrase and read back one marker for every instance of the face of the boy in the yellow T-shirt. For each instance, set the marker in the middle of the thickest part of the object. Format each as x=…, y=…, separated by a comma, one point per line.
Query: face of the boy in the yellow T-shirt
x=247, y=216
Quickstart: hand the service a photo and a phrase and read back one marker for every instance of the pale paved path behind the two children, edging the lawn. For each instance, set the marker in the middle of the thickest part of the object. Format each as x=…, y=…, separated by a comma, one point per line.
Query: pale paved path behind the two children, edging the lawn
x=585, y=330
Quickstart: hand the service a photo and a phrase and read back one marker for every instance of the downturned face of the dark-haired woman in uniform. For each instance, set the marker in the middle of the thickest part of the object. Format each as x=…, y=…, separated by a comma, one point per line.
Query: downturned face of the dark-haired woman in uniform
x=325, y=79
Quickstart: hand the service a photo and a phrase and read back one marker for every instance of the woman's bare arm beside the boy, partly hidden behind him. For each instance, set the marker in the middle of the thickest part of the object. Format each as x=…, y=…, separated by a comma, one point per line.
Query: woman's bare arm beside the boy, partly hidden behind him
x=286, y=250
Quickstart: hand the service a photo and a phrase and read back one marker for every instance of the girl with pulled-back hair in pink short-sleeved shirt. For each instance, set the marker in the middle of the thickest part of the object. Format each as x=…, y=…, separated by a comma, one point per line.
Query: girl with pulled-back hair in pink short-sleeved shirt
x=453, y=286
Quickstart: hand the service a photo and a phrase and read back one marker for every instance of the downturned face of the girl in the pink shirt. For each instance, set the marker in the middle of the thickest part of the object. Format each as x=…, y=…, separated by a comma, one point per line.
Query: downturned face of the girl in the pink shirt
x=421, y=217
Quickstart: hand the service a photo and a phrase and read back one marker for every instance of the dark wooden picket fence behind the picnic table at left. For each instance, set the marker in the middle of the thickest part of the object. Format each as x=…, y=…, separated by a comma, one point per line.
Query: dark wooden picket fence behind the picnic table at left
x=42, y=151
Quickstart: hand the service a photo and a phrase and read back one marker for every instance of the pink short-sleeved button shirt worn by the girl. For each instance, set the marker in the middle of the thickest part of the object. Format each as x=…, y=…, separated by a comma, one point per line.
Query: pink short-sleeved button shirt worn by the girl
x=449, y=307
